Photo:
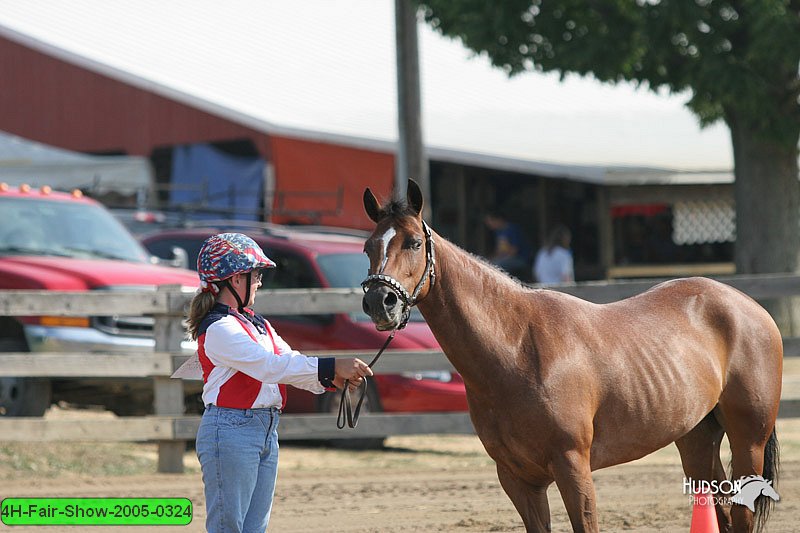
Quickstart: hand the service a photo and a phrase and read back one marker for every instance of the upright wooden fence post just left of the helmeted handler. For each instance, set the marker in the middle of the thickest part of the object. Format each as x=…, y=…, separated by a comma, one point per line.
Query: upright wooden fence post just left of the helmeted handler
x=168, y=392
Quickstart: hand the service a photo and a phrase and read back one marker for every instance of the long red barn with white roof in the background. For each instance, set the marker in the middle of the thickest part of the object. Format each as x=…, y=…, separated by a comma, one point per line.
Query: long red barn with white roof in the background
x=310, y=90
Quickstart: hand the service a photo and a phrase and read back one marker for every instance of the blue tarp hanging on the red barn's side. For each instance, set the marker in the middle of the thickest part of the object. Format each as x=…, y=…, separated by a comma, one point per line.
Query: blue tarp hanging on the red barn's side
x=228, y=186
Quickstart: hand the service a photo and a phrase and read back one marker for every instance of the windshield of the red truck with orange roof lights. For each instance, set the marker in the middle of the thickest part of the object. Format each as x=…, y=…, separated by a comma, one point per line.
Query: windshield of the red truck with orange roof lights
x=53, y=228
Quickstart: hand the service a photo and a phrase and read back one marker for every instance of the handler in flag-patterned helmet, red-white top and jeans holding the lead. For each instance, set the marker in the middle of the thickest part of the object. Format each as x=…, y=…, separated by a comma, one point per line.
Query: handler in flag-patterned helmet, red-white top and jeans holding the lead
x=243, y=361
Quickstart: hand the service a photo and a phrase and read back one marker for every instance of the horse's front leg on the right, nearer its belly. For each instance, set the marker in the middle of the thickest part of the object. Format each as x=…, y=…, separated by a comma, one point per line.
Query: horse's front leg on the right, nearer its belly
x=573, y=474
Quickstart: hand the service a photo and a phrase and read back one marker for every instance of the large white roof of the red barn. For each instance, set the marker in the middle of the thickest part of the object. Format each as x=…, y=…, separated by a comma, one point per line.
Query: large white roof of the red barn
x=325, y=70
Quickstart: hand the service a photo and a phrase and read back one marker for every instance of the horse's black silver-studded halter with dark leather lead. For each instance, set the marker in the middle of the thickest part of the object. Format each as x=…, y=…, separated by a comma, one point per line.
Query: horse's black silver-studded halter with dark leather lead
x=409, y=301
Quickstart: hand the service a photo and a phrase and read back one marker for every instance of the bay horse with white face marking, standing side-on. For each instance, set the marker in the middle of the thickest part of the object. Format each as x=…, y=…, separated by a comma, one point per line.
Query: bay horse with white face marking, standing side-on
x=558, y=387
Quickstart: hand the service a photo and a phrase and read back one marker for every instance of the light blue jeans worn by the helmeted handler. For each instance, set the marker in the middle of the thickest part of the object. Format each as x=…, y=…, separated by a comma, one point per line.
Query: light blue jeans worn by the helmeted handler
x=238, y=452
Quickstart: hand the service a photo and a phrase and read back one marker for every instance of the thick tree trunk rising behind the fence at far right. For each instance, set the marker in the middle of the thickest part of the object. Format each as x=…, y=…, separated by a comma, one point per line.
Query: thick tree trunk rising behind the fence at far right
x=767, y=193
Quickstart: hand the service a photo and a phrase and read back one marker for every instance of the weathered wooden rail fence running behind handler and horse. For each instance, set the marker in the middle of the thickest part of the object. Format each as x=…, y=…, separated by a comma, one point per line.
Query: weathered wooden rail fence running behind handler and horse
x=171, y=429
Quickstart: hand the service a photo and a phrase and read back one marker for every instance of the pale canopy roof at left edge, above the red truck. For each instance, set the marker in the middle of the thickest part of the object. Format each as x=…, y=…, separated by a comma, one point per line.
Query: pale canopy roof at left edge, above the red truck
x=24, y=161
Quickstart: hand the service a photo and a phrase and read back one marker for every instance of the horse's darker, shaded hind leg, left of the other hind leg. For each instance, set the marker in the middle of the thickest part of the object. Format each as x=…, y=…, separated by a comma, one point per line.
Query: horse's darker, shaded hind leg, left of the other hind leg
x=699, y=451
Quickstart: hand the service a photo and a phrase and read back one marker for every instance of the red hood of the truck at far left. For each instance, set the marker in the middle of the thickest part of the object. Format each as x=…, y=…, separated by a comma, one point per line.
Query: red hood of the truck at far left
x=60, y=273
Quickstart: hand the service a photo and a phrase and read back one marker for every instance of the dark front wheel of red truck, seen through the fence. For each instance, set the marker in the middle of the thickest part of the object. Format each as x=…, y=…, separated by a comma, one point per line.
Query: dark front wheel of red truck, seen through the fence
x=22, y=396
